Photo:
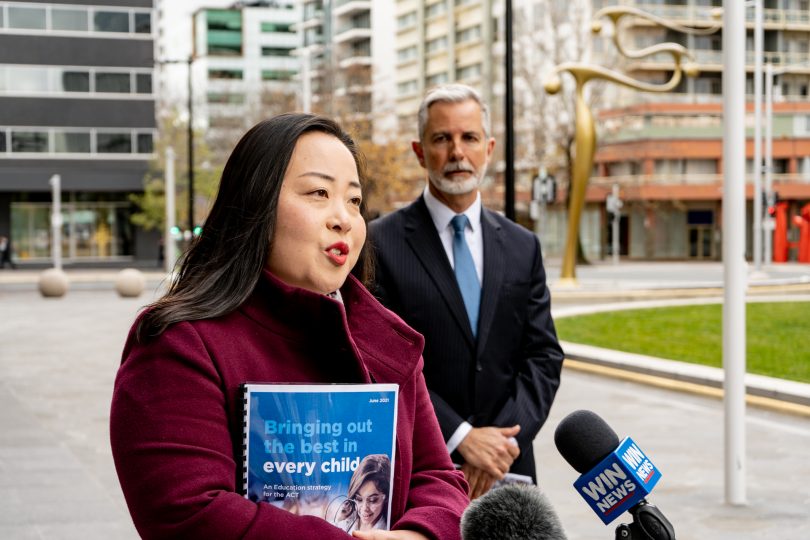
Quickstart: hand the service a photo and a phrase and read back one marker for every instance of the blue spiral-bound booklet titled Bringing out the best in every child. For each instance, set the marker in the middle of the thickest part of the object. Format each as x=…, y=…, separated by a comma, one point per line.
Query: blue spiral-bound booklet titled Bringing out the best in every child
x=322, y=449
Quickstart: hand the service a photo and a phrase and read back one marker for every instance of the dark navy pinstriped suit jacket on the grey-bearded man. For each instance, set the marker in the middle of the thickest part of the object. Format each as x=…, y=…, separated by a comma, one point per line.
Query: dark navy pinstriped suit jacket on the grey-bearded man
x=510, y=373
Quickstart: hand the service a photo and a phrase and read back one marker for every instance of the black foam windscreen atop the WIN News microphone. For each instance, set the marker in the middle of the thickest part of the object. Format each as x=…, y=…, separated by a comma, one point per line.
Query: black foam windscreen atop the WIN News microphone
x=584, y=439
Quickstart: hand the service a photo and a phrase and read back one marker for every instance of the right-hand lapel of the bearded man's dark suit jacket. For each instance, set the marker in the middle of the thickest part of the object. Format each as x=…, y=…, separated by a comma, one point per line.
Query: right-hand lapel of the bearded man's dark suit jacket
x=494, y=260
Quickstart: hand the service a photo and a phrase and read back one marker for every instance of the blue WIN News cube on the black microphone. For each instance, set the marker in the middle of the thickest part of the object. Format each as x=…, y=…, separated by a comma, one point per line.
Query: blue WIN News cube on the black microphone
x=618, y=482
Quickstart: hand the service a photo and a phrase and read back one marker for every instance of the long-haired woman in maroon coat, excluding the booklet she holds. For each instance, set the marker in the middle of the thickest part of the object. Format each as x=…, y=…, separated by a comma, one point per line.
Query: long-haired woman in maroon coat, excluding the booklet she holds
x=265, y=295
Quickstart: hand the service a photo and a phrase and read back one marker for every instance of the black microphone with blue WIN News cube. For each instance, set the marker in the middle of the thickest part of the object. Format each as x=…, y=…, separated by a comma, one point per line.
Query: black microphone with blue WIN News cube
x=616, y=475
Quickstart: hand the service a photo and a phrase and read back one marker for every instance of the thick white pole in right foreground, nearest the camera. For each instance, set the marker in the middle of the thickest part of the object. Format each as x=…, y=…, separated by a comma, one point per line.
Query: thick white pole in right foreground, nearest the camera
x=734, y=271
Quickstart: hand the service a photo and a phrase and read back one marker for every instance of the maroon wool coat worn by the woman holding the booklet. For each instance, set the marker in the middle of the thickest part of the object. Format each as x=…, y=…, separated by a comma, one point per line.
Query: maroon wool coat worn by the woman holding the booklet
x=175, y=424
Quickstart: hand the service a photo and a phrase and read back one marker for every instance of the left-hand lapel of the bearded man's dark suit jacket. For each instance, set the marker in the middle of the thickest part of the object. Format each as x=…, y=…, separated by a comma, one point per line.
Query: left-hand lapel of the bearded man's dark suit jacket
x=424, y=241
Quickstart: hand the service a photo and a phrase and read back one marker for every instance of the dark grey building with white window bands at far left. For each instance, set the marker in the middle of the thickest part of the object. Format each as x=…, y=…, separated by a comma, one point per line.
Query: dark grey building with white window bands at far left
x=77, y=100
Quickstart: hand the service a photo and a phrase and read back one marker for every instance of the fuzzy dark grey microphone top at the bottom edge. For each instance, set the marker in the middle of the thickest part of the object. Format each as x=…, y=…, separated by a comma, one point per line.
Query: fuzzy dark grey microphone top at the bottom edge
x=512, y=512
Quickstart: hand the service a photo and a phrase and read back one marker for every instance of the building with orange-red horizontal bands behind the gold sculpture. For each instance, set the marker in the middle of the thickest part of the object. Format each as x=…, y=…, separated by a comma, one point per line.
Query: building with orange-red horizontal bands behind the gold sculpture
x=665, y=150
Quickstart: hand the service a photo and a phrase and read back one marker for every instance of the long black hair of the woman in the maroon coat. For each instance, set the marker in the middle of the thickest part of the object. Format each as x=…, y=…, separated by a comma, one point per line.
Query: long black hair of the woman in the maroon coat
x=222, y=266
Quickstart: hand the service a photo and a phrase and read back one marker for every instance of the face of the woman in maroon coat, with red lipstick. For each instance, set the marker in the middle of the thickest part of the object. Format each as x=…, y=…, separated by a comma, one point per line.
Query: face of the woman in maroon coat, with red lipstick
x=319, y=230
